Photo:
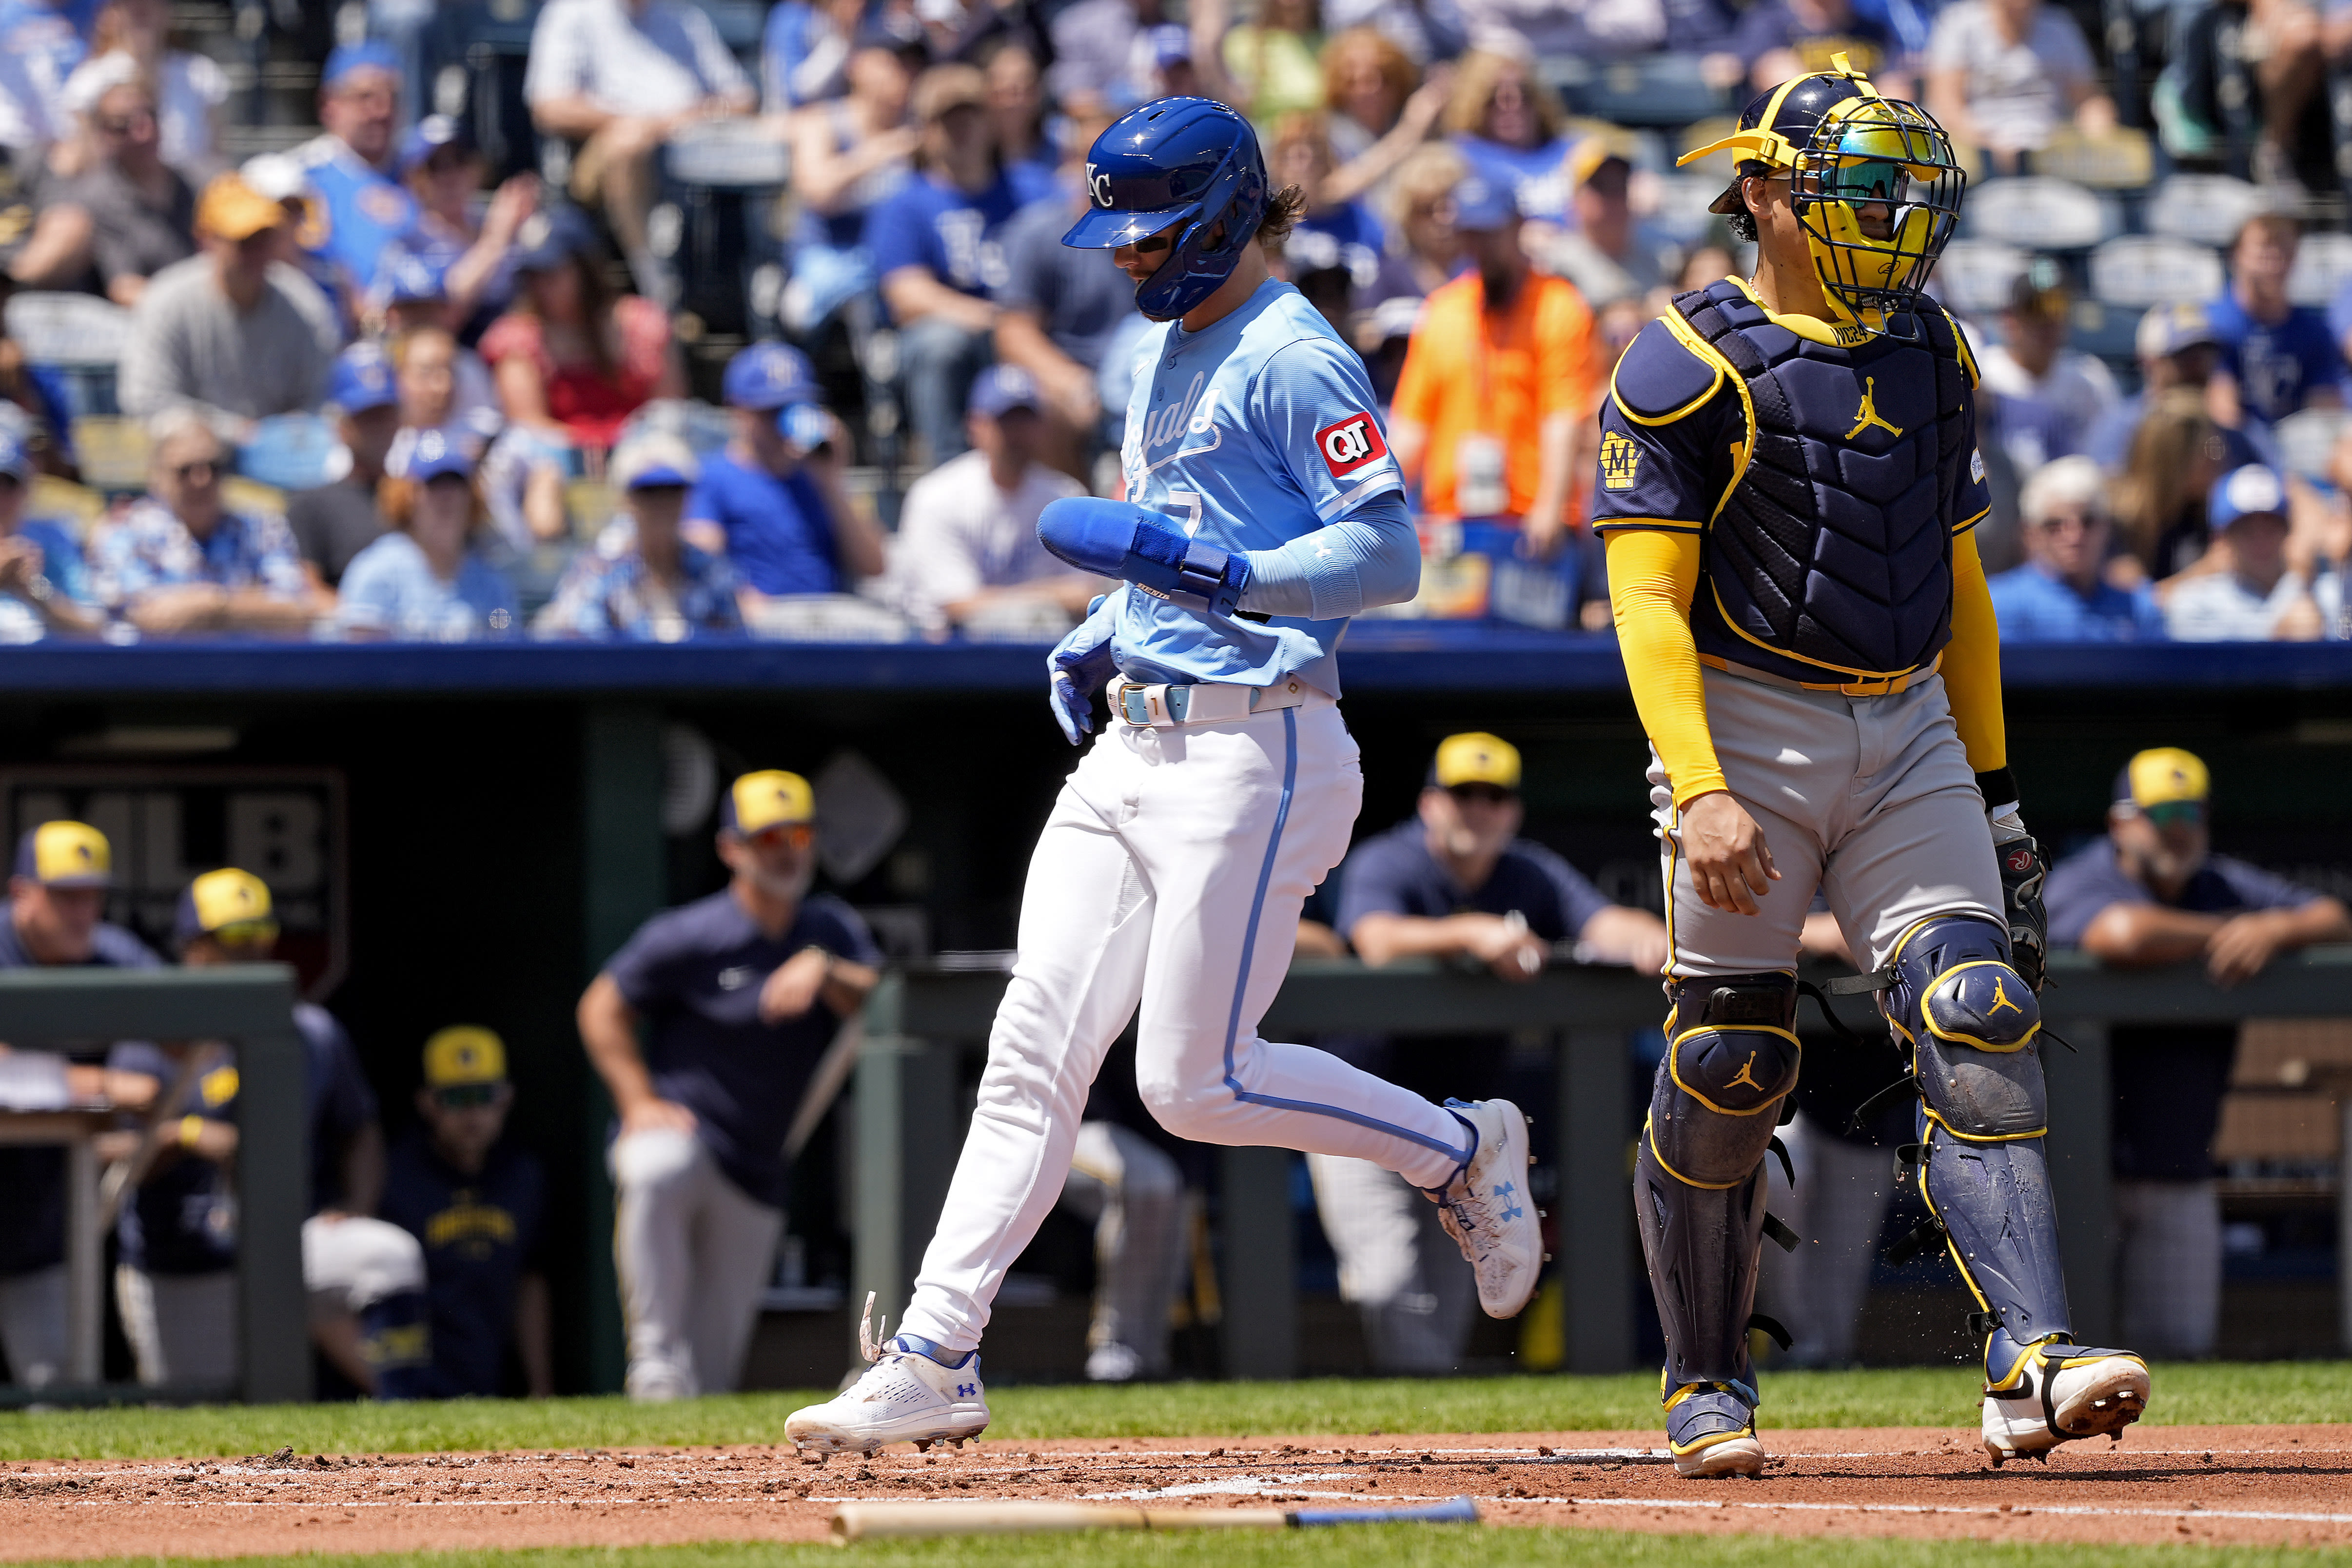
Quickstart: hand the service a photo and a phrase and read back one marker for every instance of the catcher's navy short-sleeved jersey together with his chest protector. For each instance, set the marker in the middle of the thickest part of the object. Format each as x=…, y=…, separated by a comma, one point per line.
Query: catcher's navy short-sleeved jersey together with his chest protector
x=1826, y=476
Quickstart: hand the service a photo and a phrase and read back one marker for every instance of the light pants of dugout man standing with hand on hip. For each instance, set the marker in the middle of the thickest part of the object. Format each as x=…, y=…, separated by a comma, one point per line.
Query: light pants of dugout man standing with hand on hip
x=695, y=1254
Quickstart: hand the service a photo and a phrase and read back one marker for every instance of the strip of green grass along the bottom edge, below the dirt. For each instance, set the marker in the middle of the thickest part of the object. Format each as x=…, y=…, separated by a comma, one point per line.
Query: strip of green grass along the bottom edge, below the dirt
x=1354, y=1548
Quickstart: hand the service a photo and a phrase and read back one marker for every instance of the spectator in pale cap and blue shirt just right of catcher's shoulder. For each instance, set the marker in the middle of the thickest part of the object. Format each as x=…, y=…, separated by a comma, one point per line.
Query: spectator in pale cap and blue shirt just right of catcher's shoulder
x=2059, y=594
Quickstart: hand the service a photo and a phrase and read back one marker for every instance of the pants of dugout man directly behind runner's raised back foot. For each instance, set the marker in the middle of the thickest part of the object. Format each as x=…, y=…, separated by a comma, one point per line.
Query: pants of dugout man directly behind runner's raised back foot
x=1396, y=1264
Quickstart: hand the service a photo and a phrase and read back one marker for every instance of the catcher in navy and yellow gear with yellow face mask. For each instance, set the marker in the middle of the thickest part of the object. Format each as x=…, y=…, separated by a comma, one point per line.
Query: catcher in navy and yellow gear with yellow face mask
x=1789, y=485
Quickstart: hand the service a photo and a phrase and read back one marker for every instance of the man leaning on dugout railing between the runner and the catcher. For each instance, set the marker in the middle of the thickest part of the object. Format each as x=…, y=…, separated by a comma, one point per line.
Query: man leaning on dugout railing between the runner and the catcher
x=1450, y=883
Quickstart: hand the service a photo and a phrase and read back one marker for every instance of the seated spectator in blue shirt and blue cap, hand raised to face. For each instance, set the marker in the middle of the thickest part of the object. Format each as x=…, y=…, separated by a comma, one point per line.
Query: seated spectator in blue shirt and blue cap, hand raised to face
x=773, y=502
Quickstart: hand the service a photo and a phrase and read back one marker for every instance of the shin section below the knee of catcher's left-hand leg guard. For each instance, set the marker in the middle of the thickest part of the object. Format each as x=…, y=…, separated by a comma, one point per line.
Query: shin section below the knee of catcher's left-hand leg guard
x=1704, y=1252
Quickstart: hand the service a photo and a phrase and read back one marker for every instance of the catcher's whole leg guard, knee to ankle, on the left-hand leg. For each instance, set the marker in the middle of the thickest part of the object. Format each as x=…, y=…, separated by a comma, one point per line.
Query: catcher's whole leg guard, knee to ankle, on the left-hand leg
x=1699, y=1174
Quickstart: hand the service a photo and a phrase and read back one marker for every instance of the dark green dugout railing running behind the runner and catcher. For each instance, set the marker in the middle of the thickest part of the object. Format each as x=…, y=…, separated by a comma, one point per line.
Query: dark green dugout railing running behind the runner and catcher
x=923, y=1019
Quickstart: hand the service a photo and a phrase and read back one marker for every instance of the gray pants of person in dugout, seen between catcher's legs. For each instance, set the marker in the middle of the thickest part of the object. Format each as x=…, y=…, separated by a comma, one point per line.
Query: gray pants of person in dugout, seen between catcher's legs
x=1838, y=1207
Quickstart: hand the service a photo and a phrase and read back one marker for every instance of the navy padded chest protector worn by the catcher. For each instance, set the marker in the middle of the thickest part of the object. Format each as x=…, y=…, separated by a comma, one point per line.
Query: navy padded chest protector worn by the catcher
x=1833, y=547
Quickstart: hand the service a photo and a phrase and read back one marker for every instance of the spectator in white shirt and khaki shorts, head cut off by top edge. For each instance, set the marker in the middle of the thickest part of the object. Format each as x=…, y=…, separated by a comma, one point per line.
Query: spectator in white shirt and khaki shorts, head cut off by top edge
x=622, y=79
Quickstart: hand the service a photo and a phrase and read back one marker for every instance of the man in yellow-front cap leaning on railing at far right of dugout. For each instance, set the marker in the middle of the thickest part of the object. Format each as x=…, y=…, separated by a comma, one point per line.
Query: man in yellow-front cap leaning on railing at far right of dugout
x=2153, y=892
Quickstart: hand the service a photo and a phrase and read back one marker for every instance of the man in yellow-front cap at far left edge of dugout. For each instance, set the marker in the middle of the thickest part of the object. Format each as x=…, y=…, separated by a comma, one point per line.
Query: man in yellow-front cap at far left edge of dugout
x=55, y=906
